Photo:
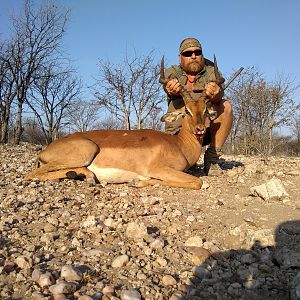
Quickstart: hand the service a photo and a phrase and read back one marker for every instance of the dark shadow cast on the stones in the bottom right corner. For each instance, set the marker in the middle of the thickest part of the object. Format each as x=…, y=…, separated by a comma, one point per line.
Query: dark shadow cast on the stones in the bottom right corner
x=263, y=272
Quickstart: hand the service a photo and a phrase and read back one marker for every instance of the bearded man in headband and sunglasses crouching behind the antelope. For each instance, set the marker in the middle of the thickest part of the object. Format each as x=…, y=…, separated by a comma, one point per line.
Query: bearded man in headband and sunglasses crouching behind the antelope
x=197, y=73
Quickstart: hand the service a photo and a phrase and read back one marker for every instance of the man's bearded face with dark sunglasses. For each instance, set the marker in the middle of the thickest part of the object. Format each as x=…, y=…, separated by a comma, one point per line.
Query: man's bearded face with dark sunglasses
x=192, y=60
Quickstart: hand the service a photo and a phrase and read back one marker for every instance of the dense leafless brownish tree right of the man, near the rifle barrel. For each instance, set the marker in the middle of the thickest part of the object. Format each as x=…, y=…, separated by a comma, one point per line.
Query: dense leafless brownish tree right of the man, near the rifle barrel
x=259, y=108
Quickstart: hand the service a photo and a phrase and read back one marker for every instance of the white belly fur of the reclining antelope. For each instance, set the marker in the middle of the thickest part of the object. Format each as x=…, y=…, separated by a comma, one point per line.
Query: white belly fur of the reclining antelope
x=114, y=175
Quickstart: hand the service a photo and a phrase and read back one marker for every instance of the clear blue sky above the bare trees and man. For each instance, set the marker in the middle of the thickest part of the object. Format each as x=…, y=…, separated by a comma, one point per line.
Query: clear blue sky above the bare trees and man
x=260, y=33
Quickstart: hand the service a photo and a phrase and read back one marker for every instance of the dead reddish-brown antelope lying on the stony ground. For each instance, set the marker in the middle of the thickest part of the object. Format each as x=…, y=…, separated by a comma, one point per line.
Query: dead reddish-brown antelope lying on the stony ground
x=142, y=157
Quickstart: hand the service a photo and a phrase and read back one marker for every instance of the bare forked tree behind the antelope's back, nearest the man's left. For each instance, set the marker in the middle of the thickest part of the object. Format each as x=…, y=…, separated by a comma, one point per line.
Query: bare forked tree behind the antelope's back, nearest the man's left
x=130, y=91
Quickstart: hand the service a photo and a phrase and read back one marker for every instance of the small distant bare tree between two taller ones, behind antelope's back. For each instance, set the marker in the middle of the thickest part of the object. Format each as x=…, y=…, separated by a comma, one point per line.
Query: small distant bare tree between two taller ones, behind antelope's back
x=83, y=115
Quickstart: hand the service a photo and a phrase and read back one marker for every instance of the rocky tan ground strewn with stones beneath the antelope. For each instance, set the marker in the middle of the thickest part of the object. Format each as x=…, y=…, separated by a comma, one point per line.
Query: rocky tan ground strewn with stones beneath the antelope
x=236, y=238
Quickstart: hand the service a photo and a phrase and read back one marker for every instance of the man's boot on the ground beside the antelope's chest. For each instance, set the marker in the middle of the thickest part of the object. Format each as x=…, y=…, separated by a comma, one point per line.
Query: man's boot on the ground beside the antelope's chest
x=211, y=161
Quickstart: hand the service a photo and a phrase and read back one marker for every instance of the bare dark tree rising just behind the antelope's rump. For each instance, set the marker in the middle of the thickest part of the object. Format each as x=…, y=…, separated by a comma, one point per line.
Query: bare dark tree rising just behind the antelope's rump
x=49, y=98
